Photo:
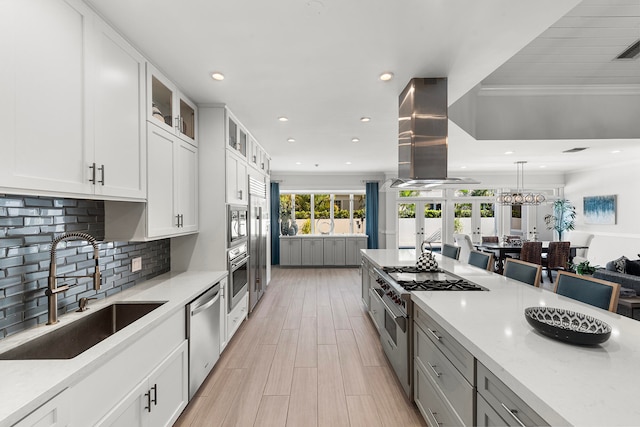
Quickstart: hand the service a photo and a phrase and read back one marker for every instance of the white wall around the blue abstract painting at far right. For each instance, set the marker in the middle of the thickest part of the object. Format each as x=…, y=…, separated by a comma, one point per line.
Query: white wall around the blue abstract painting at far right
x=610, y=241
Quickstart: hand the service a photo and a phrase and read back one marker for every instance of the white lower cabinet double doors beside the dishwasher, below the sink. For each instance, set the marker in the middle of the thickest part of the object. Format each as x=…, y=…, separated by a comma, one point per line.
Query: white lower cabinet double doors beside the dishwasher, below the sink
x=159, y=399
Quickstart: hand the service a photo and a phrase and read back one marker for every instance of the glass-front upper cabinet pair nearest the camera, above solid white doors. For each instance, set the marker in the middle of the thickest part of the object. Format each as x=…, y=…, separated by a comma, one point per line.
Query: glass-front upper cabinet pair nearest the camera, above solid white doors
x=170, y=109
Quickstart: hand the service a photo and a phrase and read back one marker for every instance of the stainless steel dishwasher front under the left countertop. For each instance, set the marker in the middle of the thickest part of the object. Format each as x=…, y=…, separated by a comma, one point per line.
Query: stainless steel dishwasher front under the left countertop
x=203, y=332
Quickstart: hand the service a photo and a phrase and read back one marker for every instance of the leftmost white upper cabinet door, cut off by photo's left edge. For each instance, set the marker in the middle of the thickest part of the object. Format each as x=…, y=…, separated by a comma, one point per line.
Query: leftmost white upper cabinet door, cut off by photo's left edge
x=43, y=92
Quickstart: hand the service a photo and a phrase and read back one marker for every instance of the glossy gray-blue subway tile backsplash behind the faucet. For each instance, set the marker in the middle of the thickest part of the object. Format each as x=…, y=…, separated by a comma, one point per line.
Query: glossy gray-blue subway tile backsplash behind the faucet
x=29, y=224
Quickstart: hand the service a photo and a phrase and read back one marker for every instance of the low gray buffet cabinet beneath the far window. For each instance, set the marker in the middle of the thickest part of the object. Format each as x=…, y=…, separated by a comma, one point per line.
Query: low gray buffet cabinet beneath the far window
x=319, y=250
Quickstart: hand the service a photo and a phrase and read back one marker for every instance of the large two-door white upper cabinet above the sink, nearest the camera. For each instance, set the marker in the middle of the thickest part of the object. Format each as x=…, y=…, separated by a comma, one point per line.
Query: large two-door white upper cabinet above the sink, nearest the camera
x=66, y=88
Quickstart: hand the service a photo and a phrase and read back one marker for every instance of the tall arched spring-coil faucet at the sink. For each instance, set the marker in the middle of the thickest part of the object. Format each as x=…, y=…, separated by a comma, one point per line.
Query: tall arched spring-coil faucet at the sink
x=53, y=290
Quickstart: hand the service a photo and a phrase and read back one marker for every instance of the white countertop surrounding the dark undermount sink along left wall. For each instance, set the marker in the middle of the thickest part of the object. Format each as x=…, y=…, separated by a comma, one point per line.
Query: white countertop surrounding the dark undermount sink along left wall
x=27, y=384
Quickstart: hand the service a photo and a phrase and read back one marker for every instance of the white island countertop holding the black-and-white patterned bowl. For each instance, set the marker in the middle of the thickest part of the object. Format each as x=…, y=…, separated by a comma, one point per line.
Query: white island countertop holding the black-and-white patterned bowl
x=565, y=384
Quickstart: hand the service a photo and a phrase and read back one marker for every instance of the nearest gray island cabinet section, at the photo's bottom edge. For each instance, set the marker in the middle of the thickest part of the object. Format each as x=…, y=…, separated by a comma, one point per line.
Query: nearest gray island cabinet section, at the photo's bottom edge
x=511, y=410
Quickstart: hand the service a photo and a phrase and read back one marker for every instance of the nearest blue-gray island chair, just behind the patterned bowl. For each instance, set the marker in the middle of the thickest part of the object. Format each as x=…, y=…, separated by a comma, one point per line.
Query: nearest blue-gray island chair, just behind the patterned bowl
x=596, y=292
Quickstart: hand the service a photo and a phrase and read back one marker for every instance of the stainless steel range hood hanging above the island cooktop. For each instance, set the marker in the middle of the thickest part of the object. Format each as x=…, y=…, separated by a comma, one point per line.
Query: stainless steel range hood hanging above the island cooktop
x=423, y=126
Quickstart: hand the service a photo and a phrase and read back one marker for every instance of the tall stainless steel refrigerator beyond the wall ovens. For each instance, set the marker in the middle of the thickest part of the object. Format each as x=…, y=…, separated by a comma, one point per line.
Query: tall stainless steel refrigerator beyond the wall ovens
x=258, y=232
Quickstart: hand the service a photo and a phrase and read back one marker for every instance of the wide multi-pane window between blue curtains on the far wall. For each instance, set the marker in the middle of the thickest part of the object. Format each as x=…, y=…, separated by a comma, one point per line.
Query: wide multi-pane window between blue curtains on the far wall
x=322, y=213
